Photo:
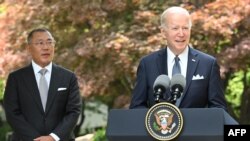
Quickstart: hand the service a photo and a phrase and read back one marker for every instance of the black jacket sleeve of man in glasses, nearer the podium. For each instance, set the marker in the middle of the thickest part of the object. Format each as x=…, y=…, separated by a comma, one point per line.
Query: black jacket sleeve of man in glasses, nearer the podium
x=73, y=110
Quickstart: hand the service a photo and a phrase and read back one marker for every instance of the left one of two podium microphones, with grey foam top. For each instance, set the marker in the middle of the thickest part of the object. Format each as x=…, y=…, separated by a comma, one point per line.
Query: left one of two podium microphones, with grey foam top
x=160, y=86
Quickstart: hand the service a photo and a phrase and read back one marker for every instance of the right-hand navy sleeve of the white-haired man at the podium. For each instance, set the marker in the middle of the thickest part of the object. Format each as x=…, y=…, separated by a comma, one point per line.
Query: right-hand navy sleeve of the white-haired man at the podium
x=216, y=94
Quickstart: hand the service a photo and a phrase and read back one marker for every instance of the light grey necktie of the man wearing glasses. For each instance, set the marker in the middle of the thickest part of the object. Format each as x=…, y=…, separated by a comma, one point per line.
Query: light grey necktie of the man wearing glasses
x=43, y=87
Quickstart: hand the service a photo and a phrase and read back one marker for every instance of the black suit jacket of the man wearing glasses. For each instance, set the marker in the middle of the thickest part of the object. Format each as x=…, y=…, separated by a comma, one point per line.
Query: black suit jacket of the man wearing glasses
x=24, y=110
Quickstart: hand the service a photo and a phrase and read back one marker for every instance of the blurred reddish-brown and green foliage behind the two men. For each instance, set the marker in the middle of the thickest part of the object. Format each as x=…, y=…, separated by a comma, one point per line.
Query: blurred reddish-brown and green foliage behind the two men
x=103, y=40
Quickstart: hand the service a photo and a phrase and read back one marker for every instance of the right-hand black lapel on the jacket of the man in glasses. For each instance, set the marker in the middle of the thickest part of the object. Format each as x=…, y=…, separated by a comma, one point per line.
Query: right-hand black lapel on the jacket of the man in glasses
x=54, y=82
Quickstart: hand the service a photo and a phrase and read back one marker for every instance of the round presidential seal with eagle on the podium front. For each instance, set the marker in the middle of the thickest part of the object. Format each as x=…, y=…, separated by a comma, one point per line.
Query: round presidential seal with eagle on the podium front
x=164, y=121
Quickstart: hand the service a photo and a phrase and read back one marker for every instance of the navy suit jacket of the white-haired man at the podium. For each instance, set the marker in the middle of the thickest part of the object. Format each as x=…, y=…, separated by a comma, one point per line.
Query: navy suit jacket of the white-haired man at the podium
x=207, y=92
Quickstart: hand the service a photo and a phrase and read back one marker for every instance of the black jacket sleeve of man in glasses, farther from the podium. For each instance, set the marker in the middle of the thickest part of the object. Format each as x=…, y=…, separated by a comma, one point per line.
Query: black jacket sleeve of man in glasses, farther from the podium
x=13, y=112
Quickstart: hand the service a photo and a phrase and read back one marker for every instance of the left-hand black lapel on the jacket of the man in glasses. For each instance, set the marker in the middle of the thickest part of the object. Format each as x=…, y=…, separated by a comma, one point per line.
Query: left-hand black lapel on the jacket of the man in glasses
x=31, y=84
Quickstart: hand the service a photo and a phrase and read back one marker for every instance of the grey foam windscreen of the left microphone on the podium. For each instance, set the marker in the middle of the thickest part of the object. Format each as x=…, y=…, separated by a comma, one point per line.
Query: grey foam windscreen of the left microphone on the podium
x=162, y=81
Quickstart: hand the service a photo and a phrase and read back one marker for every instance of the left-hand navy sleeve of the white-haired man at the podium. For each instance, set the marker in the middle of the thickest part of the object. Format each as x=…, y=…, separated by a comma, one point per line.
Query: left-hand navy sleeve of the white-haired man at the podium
x=139, y=94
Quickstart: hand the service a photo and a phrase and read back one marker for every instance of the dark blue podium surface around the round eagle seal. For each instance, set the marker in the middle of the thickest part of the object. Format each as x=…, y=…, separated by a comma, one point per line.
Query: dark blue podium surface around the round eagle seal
x=200, y=124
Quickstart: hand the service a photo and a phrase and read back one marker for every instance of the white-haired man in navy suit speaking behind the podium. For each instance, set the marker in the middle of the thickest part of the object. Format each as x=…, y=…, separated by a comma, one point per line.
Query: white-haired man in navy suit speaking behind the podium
x=201, y=71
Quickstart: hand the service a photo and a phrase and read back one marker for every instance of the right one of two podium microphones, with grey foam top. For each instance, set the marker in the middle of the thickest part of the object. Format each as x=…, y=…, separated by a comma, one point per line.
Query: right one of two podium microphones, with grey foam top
x=177, y=85
